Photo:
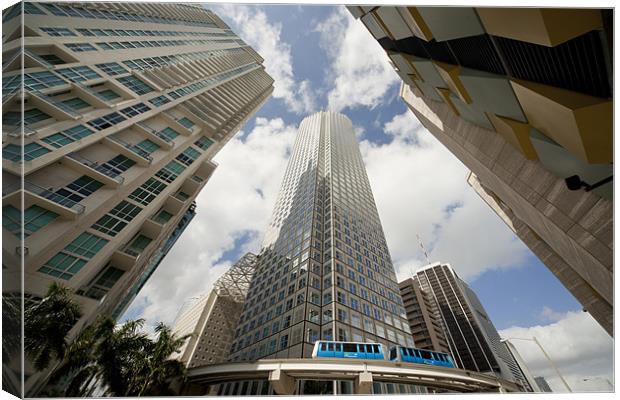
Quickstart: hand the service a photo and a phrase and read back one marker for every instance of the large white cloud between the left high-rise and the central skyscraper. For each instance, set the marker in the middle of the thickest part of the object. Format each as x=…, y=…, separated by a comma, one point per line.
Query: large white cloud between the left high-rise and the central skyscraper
x=236, y=202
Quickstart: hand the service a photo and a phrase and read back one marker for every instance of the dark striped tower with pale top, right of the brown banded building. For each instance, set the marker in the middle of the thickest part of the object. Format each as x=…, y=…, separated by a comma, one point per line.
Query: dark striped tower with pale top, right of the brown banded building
x=473, y=340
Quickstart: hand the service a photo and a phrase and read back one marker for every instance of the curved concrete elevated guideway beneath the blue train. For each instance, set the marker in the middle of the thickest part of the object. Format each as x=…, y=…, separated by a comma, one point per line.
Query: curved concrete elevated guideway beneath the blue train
x=282, y=374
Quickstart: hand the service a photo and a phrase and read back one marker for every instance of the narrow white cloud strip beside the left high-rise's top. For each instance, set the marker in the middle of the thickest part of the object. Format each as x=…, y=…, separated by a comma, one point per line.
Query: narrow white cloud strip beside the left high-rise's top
x=253, y=26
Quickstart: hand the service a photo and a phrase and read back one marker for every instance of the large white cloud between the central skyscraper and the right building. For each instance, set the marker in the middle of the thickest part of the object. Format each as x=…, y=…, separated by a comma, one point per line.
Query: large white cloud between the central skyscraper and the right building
x=420, y=189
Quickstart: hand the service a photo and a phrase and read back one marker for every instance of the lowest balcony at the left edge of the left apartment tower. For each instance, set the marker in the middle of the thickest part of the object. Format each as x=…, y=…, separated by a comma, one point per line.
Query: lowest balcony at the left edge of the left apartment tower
x=46, y=198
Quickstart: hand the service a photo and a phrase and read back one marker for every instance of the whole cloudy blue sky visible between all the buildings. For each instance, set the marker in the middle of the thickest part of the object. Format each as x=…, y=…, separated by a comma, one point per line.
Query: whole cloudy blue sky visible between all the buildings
x=321, y=59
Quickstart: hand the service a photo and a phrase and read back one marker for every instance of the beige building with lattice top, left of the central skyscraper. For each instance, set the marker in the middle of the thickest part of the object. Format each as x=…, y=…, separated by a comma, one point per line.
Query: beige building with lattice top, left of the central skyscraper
x=212, y=319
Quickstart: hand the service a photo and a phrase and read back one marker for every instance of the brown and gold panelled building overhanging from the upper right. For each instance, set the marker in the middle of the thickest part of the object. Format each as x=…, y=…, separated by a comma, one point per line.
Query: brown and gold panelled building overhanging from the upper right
x=523, y=97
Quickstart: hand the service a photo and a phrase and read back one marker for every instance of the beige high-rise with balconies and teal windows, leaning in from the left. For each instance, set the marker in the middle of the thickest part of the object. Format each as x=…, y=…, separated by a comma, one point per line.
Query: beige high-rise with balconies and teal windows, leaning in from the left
x=112, y=113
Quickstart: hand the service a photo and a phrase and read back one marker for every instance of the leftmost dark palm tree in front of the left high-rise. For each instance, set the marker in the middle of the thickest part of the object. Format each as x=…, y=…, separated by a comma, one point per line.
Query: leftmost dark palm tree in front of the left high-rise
x=47, y=323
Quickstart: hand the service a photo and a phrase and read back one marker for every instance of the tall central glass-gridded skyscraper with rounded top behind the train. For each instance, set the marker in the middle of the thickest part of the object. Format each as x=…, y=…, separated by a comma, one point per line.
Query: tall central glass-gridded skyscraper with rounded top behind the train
x=324, y=271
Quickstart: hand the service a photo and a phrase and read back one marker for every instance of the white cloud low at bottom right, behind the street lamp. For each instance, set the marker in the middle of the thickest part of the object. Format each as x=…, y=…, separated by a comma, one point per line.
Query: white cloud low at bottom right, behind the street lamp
x=576, y=343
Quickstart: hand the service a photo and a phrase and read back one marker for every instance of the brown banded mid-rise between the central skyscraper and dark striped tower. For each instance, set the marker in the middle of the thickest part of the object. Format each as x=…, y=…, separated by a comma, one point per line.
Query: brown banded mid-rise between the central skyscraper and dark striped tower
x=423, y=316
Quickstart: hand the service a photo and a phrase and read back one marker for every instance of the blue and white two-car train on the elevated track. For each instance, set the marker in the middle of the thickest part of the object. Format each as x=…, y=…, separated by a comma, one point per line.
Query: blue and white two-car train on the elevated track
x=375, y=351
